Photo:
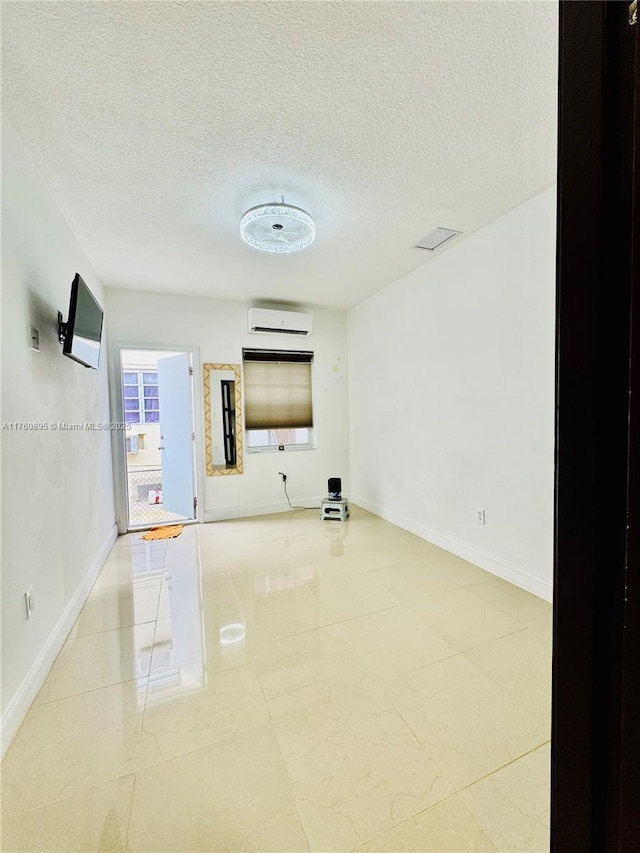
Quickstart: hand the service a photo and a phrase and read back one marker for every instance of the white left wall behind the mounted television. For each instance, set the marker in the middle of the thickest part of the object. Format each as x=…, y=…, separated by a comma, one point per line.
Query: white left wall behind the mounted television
x=57, y=496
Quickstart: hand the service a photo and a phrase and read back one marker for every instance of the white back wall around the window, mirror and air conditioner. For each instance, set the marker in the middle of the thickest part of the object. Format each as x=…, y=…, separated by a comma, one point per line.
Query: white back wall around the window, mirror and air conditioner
x=218, y=328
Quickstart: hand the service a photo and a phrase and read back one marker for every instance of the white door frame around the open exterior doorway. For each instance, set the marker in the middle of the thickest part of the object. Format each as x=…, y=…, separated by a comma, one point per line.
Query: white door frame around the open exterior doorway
x=118, y=447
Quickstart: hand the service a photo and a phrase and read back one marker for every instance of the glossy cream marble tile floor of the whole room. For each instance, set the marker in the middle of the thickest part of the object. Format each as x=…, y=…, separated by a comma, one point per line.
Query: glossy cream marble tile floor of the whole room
x=286, y=684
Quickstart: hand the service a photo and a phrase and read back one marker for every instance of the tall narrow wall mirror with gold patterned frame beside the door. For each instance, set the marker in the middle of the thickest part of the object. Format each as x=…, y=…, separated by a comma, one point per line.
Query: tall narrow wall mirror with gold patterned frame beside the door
x=222, y=419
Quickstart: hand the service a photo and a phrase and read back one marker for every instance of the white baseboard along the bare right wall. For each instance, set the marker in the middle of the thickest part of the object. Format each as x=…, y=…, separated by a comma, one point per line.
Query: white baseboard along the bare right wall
x=489, y=562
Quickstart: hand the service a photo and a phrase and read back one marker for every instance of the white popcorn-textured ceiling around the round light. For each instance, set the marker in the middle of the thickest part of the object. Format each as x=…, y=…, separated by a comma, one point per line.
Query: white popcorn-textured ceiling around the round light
x=157, y=124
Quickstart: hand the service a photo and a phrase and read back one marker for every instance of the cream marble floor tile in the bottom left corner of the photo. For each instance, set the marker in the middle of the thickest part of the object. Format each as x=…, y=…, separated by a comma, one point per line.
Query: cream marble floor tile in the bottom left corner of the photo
x=93, y=819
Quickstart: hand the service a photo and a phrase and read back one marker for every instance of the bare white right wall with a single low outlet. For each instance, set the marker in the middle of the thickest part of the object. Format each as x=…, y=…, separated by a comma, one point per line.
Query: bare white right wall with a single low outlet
x=451, y=377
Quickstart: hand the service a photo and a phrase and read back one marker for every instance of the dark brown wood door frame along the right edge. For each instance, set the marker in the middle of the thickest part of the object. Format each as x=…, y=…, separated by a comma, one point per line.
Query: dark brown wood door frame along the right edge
x=596, y=670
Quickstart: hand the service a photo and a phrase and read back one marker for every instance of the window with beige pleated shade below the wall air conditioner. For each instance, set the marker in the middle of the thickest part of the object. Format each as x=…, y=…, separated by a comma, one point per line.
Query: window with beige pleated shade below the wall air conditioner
x=278, y=398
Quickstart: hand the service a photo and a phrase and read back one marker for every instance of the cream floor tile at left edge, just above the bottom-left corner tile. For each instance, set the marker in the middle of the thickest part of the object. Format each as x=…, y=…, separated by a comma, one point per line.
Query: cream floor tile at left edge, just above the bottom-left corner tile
x=67, y=746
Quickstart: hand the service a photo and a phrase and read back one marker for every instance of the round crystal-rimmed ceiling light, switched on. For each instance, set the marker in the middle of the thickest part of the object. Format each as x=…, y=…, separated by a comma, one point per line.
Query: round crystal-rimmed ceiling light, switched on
x=277, y=228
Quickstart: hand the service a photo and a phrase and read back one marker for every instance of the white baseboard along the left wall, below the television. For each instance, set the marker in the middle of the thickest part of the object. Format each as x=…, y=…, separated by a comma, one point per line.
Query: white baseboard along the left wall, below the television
x=28, y=690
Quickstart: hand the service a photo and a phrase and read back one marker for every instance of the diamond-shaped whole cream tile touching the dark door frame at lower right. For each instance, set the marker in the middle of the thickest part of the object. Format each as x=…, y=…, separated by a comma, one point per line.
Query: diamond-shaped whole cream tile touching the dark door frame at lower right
x=467, y=724
